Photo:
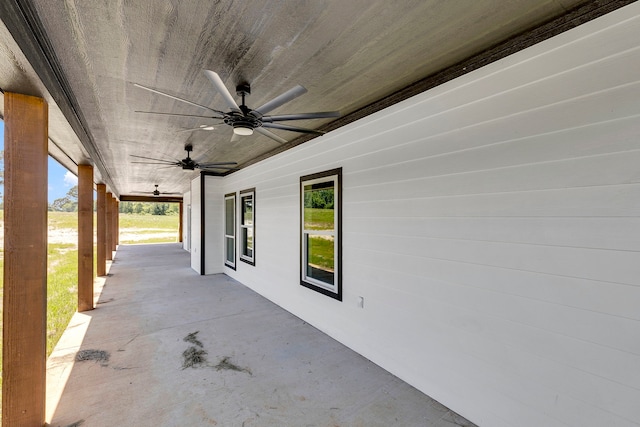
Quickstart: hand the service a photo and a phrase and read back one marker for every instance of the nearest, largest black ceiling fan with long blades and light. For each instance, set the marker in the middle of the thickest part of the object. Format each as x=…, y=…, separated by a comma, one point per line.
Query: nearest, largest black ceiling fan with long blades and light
x=245, y=120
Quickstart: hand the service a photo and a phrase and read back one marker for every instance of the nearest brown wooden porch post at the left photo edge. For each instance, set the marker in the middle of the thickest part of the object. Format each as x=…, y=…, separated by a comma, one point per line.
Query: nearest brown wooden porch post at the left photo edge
x=25, y=260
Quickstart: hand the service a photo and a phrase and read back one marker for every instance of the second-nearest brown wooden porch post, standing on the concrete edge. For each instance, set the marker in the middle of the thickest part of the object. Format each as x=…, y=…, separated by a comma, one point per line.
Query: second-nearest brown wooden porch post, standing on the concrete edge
x=85, y=237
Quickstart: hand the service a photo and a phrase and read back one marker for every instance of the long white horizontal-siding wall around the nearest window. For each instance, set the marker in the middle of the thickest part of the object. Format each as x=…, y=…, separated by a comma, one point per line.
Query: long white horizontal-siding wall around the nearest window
x=492, y=226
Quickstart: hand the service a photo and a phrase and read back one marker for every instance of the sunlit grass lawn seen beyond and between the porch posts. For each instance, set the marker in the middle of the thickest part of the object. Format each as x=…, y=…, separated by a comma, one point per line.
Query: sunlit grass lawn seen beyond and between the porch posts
x=62, y=263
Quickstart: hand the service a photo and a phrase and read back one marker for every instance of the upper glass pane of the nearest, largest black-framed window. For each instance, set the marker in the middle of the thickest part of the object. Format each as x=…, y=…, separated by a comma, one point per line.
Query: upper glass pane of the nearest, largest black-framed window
x=319, y=206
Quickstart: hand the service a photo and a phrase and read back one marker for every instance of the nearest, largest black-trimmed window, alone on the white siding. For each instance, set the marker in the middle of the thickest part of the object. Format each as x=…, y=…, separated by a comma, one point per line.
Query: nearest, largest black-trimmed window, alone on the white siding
x=321, y=236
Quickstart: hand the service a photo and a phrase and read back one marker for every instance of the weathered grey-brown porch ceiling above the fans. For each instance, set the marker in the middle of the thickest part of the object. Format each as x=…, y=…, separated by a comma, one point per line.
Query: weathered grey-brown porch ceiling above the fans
x=84, y=58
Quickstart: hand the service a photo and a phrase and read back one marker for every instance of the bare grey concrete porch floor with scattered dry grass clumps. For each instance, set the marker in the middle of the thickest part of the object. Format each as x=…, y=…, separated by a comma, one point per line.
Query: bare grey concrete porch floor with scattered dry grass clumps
x=262, y=366
